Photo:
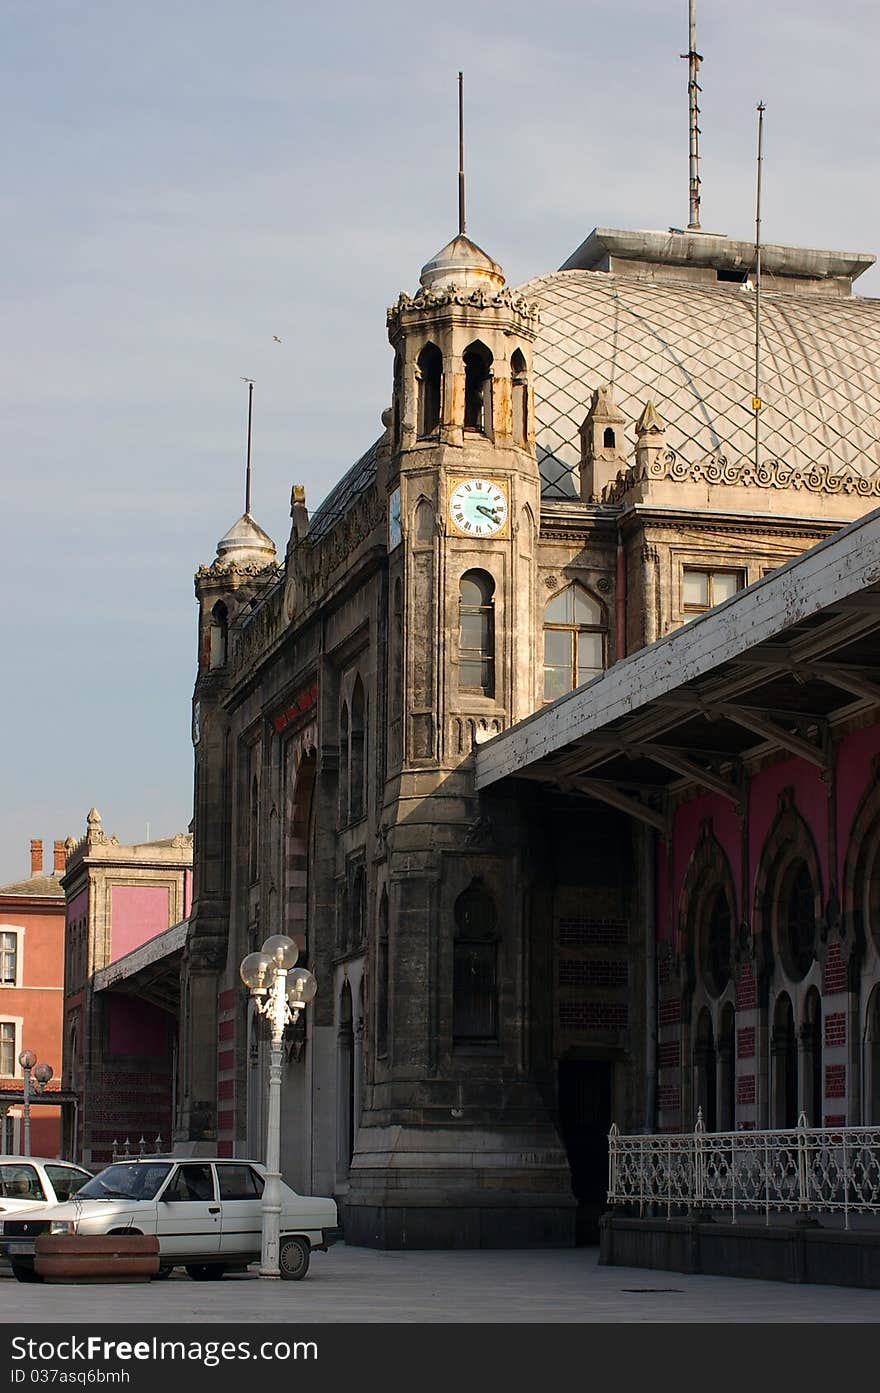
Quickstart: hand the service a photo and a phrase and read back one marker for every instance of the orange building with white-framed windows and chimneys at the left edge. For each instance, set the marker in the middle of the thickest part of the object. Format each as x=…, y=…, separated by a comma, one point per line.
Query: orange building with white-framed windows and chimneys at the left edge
x=31, y=1001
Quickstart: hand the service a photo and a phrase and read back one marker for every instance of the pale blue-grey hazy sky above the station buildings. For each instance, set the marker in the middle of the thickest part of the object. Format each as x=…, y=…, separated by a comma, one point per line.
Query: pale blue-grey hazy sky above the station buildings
x=187, y=182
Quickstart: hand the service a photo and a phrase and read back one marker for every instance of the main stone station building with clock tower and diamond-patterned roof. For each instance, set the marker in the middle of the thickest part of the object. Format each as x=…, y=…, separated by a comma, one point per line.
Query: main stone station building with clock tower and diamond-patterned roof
x=567, y=473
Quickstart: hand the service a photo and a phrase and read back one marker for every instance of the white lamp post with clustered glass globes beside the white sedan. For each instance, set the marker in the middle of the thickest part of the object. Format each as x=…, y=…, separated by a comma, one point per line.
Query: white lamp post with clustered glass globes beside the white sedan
x=281, y=993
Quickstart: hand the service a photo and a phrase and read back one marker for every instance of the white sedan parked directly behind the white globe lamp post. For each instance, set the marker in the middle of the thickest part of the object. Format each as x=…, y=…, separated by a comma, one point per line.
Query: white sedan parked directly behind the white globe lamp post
x=207, y=1214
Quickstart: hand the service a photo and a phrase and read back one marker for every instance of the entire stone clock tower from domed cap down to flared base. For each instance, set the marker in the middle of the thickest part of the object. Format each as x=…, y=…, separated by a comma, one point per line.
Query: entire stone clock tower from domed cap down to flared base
x=452, y=1105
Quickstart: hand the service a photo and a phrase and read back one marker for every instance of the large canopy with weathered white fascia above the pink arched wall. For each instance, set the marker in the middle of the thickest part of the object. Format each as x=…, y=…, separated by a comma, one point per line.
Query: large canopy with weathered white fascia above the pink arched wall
x=773, y=671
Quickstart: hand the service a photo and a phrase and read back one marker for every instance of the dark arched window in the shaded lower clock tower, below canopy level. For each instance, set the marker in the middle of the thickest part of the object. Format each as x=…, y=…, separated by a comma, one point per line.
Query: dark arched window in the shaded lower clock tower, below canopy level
x=476, y=969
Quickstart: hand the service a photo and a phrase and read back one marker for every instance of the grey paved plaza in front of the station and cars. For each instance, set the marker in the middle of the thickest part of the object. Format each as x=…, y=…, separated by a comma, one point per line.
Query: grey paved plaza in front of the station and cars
x=360, y=1285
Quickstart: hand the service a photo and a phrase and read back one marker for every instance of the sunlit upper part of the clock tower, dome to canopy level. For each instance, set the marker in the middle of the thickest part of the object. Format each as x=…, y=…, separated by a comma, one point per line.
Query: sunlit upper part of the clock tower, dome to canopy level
x=466, y=487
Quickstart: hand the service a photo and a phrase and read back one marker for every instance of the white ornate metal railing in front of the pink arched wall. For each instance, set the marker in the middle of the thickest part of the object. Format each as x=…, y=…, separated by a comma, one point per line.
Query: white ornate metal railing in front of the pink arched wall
x=797, y=1171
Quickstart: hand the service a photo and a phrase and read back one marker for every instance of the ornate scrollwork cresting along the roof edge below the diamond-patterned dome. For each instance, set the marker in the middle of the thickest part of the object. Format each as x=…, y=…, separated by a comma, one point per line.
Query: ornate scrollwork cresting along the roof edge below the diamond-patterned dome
x=772, y=474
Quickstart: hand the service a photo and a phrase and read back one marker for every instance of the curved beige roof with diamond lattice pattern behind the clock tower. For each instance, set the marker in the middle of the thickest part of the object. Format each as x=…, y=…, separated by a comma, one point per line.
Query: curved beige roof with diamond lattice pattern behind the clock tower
x=691, y=349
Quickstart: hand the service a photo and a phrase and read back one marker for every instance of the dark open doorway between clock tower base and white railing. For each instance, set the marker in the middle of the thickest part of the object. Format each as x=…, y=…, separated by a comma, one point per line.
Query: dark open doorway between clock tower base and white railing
x=586, y=1119
